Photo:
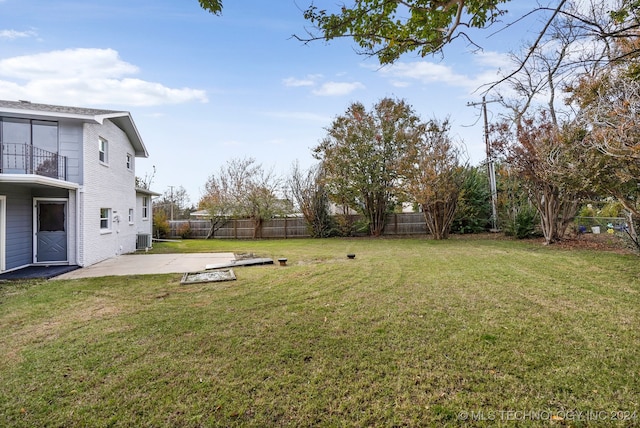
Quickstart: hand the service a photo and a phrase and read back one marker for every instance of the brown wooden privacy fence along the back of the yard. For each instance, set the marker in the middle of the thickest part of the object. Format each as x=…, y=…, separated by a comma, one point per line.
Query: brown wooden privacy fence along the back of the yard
x=291, y=227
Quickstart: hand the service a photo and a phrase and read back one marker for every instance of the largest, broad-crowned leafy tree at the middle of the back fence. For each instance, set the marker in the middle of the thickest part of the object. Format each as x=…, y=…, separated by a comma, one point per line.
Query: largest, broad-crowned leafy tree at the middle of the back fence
x=361, y=157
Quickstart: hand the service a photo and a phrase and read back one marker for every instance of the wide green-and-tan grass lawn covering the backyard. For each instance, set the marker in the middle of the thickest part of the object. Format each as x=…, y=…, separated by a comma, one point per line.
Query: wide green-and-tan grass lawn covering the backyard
x=411, y=332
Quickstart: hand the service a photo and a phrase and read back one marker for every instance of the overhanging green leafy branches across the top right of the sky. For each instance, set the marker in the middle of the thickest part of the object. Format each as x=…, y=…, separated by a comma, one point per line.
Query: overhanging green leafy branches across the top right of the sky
x=388, y=29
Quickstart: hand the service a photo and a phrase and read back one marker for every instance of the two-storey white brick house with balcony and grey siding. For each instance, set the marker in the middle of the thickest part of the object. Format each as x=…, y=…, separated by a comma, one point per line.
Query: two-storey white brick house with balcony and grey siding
x=68, y=191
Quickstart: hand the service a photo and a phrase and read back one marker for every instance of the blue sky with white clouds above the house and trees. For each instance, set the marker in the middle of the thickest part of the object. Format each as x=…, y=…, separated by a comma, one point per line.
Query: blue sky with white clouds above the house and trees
x=203, y=89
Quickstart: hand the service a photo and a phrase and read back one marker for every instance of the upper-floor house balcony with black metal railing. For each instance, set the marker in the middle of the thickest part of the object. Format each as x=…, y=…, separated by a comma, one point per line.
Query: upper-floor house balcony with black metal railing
x=27, y=159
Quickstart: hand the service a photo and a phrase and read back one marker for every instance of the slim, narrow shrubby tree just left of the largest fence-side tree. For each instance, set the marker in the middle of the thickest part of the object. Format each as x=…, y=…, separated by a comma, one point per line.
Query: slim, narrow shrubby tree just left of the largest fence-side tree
x=311, y=197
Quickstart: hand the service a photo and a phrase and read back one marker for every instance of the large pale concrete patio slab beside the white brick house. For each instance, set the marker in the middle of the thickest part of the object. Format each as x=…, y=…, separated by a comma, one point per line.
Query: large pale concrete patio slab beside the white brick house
x=144, y=264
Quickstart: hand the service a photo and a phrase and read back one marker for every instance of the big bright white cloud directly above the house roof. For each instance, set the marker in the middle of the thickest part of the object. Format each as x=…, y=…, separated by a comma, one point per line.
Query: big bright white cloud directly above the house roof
x=73, y=76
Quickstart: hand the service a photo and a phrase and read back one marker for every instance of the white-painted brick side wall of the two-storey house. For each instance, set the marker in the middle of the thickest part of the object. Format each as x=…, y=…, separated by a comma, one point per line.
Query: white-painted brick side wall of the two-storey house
x=107, y=186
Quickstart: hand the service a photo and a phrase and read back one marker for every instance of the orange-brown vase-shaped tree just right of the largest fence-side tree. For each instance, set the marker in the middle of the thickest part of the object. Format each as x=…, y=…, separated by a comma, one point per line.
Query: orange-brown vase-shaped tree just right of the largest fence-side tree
x=434, y=177
